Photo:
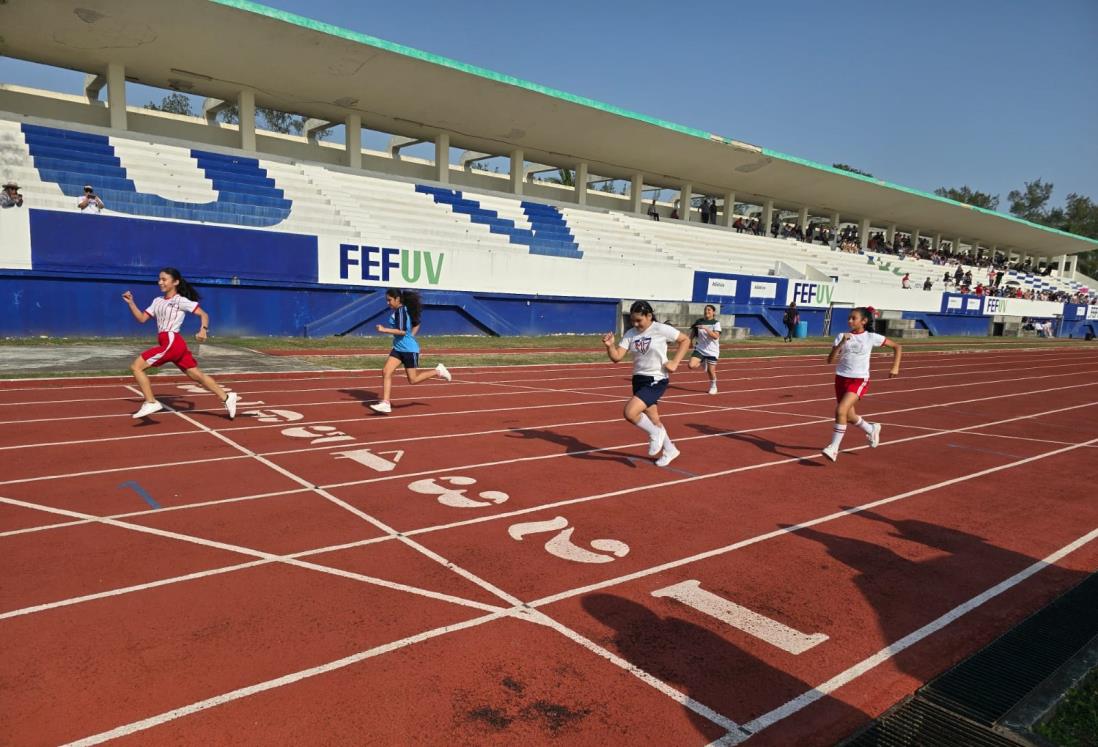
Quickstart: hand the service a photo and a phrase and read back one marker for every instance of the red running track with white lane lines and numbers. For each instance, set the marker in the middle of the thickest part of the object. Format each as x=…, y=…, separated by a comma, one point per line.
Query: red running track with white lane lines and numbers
x=499, y=562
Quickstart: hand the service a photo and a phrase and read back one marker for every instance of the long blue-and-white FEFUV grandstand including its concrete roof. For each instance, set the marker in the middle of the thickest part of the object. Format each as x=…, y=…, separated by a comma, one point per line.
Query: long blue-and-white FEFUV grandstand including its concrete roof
x=319, y=228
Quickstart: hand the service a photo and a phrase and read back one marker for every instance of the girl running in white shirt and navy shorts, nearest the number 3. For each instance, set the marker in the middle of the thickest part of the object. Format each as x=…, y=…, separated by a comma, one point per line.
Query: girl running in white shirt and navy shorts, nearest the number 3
x=648, y=343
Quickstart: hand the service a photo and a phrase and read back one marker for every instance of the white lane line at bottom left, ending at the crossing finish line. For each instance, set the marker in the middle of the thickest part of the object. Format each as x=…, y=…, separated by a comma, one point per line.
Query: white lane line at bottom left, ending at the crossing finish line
x=279, y=683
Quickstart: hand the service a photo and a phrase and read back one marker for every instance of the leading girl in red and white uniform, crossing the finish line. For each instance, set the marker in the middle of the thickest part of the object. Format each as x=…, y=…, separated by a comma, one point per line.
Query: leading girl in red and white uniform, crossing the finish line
x=180, y=299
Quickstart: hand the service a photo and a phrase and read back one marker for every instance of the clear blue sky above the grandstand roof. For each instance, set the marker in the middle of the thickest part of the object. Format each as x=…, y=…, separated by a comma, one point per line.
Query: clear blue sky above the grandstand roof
x=989, y=94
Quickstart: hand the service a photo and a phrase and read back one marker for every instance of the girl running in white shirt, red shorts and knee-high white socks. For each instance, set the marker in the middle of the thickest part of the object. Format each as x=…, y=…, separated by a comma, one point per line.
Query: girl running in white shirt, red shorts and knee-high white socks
x=853, y=376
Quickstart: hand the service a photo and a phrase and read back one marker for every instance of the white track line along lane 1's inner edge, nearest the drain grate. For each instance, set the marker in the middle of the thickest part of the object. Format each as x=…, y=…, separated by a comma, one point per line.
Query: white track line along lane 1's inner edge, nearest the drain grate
x=865, y=666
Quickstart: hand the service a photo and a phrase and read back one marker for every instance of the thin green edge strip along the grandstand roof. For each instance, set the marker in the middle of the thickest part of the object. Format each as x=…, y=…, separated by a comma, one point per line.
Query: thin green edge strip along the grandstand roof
x=261, y=9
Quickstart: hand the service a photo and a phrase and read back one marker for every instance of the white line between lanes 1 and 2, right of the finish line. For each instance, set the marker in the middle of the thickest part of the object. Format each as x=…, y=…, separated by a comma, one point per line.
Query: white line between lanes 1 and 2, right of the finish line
x=814, y=522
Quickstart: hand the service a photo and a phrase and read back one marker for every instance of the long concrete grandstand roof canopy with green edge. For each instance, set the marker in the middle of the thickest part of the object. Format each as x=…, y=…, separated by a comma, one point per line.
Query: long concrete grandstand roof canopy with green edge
x=218, y=48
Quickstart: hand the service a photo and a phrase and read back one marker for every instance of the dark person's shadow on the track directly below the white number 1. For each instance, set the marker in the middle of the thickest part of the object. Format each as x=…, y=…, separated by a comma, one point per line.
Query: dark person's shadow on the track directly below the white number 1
x=697, y=662
